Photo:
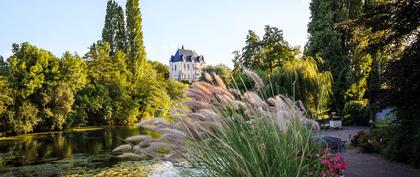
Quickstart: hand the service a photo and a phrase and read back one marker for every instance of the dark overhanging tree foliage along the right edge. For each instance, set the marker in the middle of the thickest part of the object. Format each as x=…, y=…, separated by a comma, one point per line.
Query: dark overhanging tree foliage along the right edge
x=393, y=32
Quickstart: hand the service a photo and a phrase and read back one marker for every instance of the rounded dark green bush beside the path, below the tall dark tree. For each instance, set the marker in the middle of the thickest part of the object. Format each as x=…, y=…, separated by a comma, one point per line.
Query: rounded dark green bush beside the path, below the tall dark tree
x=356, y=113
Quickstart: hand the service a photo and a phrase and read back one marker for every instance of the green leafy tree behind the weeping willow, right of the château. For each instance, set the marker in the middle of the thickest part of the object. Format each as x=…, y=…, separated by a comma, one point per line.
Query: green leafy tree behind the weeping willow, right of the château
x=268, y=53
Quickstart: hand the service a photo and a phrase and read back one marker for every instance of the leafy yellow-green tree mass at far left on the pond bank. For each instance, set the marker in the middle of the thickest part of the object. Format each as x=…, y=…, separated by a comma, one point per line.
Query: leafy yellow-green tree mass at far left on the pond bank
x=44, y=86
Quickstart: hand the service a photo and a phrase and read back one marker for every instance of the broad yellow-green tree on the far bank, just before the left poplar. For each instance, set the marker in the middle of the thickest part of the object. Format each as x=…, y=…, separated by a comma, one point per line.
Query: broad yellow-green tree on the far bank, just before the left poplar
x=107, y=99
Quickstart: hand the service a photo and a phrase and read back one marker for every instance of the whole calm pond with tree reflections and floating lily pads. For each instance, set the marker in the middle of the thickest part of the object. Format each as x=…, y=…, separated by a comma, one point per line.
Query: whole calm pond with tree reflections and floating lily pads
x=75, y=152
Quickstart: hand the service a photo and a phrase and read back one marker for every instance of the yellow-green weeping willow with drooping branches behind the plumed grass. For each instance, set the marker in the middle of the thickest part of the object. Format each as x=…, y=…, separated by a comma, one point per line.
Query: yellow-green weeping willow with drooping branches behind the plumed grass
x=298, y=79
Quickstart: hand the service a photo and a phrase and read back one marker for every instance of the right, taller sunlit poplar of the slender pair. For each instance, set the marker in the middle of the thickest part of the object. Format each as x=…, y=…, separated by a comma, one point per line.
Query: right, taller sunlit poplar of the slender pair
x=136, y=52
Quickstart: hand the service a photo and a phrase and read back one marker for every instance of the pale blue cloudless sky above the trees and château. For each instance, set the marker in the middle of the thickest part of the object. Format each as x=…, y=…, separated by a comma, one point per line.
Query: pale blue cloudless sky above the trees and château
x=213, y=28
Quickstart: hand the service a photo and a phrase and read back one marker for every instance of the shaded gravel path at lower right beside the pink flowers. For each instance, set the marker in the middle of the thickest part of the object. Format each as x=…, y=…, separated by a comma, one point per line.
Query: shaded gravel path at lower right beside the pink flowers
x=369, y=165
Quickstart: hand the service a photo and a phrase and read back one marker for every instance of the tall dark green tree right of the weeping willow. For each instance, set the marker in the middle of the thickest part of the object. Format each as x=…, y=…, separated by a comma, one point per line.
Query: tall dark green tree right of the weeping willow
x=331, y=43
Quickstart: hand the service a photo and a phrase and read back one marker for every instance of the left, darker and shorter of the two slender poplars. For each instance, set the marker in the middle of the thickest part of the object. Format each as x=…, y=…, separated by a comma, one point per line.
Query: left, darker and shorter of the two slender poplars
x=114, y=29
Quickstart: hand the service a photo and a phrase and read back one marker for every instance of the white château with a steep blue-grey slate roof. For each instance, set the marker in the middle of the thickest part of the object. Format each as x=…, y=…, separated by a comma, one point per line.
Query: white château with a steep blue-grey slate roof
x=186, y=65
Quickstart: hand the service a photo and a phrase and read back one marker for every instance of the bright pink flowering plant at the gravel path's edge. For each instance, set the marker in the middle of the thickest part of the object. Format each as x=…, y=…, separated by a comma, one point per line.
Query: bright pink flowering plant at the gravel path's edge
x=335, y=165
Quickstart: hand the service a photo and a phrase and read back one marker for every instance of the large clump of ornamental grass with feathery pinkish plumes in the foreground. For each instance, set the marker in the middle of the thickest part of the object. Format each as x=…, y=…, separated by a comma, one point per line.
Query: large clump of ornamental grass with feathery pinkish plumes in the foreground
x=227, y=133
